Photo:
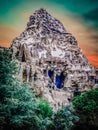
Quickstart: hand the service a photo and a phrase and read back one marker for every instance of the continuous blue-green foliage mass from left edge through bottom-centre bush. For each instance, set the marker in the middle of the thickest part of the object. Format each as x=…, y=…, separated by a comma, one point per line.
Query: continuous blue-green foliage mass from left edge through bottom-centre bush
x=20, y=109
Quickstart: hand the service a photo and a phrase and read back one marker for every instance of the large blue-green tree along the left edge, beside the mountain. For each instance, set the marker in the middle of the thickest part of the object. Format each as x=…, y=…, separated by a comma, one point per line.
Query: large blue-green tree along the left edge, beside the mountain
x=19, y=108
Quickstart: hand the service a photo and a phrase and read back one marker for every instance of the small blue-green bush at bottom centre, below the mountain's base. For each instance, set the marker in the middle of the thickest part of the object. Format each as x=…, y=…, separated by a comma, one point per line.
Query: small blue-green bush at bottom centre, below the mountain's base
x=65, y=118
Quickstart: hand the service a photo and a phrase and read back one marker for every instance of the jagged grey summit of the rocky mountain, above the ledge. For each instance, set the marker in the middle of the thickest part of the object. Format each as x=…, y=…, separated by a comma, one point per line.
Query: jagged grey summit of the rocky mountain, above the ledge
x=43, y=19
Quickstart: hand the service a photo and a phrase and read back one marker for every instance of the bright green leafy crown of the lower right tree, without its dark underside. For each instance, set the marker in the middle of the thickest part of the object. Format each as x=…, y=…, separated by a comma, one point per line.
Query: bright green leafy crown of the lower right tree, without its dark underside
x=87, y=102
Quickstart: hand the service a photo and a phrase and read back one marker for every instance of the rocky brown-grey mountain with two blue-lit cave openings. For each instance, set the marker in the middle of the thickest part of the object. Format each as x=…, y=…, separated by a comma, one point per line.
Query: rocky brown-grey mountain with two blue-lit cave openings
x=51, y=61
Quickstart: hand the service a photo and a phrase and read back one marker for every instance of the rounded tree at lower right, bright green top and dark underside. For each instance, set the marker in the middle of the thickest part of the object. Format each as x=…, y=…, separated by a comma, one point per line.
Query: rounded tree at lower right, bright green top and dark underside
x=86, y=107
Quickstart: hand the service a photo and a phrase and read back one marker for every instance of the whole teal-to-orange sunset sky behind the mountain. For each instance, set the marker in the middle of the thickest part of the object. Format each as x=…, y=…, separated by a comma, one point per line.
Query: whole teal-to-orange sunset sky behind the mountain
x=80, y=17
